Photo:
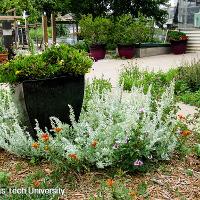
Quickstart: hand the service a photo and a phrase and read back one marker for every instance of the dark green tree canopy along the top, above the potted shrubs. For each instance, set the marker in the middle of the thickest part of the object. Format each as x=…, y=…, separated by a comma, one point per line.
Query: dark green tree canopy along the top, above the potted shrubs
x=149, y=8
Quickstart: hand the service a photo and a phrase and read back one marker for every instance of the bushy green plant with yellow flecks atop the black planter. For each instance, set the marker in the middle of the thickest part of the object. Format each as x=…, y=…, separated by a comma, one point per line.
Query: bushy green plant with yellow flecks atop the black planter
x=55, y=61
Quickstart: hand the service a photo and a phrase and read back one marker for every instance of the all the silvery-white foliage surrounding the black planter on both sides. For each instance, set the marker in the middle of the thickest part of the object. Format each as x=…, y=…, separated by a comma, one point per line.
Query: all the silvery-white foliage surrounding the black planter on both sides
x=109, y=121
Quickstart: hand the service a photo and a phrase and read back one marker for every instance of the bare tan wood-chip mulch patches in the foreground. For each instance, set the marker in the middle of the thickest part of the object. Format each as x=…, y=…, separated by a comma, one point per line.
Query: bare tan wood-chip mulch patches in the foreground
x=170, y=181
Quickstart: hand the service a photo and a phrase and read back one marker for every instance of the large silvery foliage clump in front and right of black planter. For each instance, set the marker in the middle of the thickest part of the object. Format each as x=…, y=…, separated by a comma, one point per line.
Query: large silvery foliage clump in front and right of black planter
x=110, y=120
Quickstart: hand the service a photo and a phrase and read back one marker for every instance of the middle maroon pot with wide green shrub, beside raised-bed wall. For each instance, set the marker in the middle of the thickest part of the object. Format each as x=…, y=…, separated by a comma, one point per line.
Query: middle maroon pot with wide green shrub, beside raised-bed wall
x=129, y=31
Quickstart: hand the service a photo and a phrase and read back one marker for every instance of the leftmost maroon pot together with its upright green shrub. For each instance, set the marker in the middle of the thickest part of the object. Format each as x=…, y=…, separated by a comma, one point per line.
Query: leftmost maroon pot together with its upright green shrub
x=95, y=32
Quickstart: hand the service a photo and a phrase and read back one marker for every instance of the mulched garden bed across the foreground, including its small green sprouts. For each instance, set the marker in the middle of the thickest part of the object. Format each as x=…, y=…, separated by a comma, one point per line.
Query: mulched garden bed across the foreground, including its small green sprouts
x=178, y=179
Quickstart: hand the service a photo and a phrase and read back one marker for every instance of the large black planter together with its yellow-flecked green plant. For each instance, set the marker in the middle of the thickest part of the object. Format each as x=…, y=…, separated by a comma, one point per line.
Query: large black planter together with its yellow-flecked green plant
x=46, y=84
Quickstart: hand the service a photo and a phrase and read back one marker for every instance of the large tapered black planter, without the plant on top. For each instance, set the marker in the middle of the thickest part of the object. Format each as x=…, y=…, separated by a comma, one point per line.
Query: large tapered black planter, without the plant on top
x=41, y=99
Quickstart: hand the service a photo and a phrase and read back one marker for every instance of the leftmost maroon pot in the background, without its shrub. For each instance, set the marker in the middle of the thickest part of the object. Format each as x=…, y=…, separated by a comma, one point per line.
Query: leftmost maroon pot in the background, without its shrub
x=98, y=51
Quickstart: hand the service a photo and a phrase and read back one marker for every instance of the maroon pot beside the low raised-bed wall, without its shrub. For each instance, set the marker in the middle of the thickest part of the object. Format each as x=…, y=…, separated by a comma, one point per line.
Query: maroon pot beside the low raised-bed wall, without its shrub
x=126, y=51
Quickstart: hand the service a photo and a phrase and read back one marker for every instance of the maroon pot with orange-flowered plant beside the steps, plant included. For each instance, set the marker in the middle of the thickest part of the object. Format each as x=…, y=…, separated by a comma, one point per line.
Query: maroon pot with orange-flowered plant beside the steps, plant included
x=178, y=41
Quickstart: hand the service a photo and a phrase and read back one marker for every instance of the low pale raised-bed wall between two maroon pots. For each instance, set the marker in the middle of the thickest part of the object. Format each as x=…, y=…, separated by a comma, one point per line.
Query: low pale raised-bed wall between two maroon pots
x=151, y=49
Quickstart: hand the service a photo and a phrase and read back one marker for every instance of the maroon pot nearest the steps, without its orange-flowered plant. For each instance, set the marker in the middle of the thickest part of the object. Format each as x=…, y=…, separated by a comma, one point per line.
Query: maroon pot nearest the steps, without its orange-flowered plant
x=178, y=47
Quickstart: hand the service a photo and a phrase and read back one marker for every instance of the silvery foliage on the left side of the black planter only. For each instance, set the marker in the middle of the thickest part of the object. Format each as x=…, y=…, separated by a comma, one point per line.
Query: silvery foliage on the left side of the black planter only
x=13, y=137
